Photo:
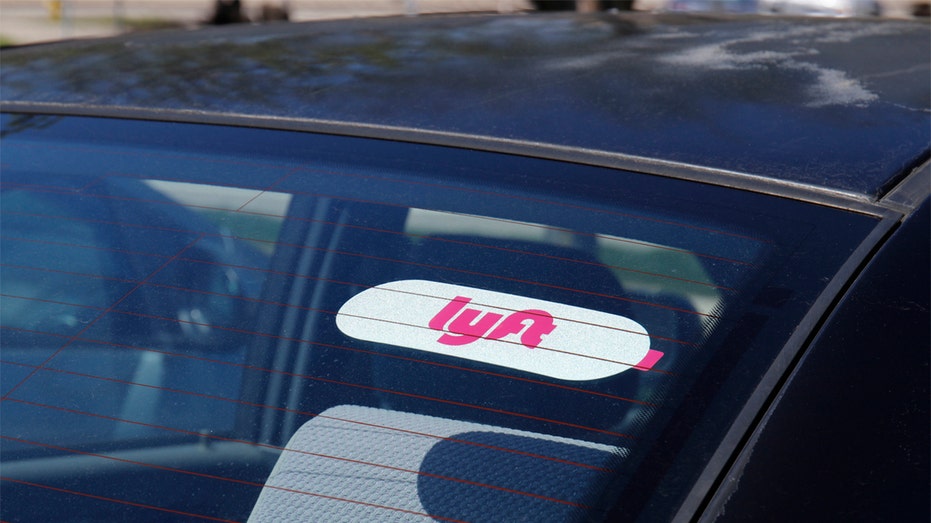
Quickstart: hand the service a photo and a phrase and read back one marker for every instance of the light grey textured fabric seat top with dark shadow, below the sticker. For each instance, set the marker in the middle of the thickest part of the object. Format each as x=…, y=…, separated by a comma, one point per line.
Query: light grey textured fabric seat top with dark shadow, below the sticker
x=354, y=463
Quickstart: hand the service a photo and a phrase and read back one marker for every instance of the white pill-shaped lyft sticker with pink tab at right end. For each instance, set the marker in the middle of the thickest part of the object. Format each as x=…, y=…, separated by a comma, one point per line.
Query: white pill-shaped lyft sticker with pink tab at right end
x=542, y=337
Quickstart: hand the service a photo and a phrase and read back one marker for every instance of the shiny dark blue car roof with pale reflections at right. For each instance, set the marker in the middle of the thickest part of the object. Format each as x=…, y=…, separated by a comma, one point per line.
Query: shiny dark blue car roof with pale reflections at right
x=842, y=106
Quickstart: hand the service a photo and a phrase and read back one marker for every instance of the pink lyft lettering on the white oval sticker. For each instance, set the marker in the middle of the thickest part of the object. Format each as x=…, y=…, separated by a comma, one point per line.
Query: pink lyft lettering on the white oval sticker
x=462, y=326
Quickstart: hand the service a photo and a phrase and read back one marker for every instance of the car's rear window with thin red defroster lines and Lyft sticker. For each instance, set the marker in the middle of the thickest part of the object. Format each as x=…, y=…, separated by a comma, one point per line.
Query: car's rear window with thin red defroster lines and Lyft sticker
x=229, y=324
